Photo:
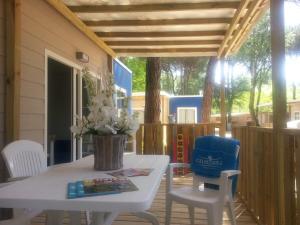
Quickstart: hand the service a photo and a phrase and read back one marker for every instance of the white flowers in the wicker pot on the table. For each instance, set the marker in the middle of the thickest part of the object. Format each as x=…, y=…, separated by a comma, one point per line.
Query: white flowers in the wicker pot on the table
x=103, y=117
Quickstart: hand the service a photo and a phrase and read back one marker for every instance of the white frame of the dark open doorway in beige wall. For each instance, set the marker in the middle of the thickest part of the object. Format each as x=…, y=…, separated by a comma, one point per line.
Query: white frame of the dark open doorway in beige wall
x=76, y=70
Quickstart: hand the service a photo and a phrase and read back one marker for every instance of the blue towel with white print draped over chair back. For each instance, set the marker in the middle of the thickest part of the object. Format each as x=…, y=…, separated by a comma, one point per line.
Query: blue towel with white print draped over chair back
x=214, y=154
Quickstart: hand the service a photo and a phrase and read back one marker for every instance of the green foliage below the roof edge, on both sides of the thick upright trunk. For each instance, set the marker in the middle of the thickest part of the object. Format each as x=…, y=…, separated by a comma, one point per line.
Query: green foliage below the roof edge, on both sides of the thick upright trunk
x=179, y=76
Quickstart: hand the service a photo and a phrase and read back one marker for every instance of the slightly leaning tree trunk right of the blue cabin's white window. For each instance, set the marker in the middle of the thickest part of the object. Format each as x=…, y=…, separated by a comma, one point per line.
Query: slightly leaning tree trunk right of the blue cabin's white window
x=208, y=90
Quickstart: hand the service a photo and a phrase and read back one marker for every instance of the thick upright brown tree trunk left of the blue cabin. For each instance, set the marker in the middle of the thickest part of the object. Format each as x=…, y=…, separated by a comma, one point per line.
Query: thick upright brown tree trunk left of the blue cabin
x=152, y=97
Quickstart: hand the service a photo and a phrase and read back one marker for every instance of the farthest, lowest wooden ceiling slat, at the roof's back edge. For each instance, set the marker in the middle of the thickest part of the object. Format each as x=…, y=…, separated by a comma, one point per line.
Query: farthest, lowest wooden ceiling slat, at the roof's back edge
x=182, y=50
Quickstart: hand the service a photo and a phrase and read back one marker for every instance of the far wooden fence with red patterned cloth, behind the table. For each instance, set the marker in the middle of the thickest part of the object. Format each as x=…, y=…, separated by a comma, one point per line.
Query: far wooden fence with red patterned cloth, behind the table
x=161, y=139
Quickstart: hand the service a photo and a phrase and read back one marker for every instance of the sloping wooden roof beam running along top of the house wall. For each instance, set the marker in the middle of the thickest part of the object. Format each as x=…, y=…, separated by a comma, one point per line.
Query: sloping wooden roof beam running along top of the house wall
x=69, y=15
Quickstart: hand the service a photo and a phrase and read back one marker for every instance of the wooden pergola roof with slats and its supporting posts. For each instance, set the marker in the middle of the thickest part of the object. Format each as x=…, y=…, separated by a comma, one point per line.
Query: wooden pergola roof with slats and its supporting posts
x=172, y=28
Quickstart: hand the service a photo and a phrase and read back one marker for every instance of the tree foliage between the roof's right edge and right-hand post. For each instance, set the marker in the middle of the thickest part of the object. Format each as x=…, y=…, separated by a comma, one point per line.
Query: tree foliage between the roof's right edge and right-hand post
x=255, y=55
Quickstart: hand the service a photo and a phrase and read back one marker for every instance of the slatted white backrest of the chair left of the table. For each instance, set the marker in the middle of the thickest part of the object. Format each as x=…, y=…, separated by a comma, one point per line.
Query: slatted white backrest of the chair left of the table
x=24, y=158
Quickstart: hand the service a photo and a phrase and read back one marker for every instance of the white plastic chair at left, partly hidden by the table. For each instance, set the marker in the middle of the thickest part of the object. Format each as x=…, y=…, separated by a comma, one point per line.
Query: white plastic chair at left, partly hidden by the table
x=24, y=158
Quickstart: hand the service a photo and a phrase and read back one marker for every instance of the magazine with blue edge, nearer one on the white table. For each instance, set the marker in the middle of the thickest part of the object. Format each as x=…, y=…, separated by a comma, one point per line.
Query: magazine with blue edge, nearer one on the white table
x=101, y=186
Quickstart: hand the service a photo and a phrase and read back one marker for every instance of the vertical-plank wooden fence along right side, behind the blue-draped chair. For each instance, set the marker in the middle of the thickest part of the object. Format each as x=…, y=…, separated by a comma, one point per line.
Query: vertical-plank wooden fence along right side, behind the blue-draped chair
x=258, y=184
